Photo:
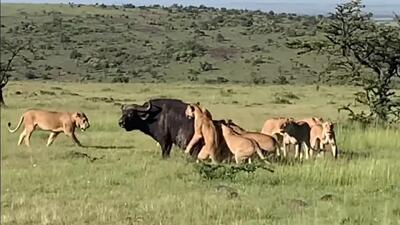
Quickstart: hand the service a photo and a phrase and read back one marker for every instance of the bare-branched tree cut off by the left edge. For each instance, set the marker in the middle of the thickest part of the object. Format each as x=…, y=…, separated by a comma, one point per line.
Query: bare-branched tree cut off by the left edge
x=11, y=50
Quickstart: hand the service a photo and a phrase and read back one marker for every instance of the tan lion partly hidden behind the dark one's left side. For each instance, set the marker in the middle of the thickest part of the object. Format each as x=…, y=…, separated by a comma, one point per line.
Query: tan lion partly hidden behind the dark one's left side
x=272, y=127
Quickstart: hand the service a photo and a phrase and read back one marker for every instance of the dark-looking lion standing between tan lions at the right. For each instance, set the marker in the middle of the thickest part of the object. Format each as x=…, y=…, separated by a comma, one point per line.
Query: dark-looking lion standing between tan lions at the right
x=298, y=134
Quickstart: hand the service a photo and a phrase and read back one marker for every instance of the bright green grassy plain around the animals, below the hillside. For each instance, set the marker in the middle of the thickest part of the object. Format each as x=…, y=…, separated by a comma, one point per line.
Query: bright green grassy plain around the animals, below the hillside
x=127, y=182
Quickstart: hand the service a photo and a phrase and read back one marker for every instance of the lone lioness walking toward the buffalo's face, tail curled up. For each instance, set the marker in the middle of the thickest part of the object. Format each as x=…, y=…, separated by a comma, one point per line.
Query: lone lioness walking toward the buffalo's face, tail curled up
x=55, y=122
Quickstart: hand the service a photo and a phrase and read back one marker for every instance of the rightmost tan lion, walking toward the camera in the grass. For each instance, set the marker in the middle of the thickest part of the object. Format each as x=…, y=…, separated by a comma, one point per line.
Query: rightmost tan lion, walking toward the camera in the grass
x=323, y=134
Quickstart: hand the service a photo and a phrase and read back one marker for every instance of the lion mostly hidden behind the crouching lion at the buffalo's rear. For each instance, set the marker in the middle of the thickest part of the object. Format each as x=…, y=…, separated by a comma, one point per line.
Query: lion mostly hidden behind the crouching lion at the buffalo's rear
x=266, y=142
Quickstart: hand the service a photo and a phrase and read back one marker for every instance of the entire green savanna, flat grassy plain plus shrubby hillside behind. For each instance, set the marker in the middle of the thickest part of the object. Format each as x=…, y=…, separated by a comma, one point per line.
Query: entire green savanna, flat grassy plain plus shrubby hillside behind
x=238, y=64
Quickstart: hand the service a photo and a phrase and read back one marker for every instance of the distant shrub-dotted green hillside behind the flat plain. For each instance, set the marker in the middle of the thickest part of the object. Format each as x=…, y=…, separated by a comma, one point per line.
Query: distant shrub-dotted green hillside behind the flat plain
x=157, y=44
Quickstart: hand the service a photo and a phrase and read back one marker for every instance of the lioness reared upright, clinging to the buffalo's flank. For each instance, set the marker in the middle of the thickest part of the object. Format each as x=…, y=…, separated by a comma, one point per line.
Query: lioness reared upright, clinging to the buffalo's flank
x=203, y=128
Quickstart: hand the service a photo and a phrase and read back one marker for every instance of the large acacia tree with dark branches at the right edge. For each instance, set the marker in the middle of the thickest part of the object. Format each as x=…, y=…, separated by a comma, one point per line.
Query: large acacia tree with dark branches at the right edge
x=365, y=53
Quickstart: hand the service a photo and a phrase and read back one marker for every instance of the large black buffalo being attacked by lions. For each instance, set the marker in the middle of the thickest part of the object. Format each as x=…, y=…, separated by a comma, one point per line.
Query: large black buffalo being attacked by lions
x=165, y=121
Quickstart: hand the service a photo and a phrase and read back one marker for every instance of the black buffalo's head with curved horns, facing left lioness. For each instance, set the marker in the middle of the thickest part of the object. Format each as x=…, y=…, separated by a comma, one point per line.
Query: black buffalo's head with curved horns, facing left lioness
x=134, y=116
